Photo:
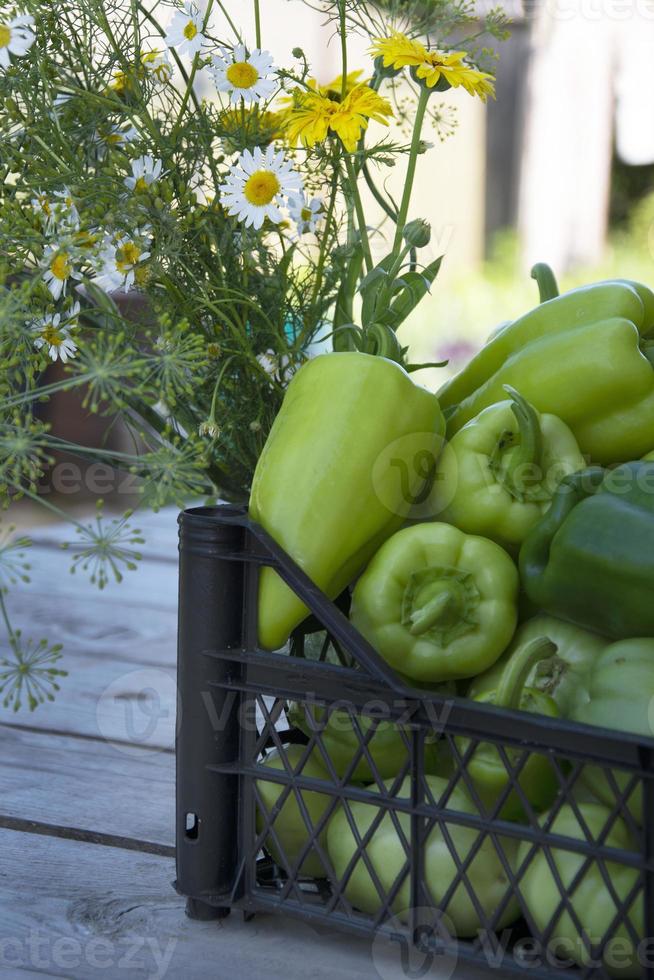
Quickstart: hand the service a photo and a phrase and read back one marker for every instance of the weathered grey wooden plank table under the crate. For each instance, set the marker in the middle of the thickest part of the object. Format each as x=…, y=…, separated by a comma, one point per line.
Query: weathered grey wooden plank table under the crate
x=87, y=801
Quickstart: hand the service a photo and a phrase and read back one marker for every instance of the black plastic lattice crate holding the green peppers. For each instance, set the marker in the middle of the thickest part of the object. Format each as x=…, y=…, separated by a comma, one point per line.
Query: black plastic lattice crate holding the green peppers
x=235, y=703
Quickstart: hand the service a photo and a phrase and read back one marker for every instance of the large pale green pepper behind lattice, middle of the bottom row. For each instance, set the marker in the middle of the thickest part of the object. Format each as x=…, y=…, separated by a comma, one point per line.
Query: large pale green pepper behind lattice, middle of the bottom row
x=386, y=852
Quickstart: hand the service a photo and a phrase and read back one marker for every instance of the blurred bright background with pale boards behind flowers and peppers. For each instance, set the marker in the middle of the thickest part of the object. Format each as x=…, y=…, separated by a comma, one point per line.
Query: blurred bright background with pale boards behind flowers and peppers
x=559, y=168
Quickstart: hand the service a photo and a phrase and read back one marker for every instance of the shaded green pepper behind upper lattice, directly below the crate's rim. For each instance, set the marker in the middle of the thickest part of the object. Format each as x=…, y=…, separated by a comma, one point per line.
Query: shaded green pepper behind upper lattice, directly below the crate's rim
x=388, y=746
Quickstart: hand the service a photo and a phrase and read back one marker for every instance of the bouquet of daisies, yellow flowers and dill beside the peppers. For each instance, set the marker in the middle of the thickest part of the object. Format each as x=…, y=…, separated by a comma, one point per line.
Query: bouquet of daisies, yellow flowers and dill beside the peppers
x=152, y=149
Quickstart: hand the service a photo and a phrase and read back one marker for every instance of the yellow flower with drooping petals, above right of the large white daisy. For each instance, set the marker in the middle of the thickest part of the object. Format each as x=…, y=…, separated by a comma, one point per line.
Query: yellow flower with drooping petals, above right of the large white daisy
x=314, y=115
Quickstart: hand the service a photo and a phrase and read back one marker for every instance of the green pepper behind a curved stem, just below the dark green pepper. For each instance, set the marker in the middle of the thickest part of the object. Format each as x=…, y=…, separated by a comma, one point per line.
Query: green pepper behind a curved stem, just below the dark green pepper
x=565, y=677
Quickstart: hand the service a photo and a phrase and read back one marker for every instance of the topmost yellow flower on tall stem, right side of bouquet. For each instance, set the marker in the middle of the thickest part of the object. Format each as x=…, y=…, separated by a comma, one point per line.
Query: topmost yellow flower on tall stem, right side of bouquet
x=398, y=51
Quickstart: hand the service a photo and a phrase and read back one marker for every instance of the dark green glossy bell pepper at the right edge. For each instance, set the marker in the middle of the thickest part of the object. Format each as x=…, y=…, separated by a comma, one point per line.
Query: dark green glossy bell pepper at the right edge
x=590, y=559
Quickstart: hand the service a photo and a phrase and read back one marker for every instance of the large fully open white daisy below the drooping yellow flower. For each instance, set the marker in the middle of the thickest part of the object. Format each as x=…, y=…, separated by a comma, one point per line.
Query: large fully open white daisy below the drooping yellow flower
x=257, y=186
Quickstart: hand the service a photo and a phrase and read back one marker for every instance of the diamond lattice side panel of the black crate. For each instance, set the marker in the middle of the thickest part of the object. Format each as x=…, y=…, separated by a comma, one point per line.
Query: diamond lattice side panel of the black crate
x=426, y=841
